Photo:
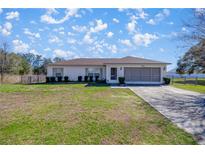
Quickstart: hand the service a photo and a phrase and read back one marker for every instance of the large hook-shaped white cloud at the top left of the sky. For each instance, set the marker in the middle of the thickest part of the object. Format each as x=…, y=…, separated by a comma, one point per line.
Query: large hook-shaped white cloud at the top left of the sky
x=47, y=18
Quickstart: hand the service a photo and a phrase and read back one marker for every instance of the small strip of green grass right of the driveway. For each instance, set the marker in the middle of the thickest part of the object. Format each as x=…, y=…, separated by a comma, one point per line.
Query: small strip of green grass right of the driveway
x=190, y=85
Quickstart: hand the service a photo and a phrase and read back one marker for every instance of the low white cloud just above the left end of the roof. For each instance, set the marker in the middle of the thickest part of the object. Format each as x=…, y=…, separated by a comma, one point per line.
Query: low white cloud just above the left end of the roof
x=64, y=54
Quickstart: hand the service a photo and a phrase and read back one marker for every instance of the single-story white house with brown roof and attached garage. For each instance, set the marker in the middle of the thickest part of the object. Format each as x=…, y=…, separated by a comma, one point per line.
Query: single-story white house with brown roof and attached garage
x=135, y=70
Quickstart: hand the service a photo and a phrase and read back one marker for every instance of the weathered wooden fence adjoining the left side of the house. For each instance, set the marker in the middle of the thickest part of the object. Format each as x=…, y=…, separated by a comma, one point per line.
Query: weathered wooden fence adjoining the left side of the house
x=29, y=79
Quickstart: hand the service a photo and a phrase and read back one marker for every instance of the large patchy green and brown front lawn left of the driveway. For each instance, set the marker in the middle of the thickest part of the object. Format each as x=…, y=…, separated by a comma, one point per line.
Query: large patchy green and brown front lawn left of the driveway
x=75, y=114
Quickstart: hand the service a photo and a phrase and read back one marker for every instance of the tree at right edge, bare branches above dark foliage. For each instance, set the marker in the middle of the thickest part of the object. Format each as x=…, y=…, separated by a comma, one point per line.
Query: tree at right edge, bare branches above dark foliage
x=193, y=60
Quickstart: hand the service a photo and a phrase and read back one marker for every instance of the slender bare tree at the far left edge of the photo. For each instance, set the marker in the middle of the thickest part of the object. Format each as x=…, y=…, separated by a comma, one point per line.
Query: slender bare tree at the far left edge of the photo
x=3, y=59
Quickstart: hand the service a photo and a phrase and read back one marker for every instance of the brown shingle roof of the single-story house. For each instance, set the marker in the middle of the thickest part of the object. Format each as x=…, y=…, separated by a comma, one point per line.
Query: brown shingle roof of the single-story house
x=103, y=61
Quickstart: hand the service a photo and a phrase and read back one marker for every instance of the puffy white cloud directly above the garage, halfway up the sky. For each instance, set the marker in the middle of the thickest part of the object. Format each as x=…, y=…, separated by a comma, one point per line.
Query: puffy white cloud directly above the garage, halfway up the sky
x=144, y=39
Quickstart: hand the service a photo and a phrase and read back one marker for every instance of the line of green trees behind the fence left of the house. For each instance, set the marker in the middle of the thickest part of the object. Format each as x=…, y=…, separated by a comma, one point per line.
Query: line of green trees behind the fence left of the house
x=22, y=63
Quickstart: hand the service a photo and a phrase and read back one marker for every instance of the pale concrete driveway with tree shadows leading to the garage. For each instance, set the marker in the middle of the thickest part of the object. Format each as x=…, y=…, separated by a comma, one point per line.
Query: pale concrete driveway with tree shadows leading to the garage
x=184, y=108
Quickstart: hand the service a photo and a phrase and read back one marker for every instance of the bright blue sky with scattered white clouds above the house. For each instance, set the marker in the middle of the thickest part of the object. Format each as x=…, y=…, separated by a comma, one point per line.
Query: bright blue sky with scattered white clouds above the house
x=72, y=33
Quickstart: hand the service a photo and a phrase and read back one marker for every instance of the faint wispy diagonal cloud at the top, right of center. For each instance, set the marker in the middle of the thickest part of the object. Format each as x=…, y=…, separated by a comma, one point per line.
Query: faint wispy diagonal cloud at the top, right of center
x=159, y=17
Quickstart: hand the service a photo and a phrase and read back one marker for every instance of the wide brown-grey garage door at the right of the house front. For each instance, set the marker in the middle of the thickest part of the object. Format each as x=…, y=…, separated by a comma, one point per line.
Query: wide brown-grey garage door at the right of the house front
x=146, y=74
